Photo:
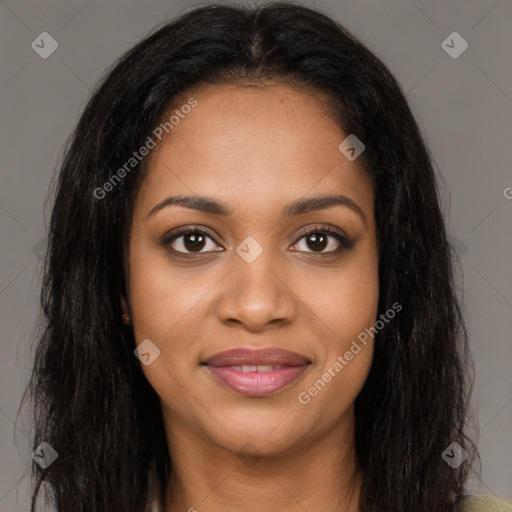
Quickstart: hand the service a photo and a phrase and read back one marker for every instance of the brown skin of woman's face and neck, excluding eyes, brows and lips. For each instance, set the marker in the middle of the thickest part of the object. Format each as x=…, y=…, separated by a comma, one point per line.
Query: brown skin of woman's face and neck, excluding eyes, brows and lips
x=255, y=149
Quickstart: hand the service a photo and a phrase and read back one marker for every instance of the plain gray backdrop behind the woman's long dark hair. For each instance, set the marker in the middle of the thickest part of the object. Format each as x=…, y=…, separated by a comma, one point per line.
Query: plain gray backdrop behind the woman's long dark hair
x=463, y=105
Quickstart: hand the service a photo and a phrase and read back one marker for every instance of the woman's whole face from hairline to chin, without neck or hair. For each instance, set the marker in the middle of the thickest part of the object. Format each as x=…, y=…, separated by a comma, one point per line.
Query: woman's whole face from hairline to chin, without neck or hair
x=260, y=275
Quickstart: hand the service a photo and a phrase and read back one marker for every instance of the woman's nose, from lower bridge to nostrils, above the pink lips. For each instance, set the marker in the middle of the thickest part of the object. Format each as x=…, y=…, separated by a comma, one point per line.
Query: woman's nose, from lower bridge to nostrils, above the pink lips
x=256, y=296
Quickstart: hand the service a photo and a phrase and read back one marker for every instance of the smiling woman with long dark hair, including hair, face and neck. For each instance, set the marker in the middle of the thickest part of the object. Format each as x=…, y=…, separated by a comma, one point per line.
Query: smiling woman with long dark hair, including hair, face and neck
x=248, y=293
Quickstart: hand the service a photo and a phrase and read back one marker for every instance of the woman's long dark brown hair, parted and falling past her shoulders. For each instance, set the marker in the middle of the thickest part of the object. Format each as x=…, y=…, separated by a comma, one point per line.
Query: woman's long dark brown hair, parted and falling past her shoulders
x=91, y=400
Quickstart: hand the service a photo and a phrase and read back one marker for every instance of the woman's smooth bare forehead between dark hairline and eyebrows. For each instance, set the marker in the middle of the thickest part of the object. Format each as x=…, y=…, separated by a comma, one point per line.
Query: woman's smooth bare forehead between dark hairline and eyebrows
x=253, y=144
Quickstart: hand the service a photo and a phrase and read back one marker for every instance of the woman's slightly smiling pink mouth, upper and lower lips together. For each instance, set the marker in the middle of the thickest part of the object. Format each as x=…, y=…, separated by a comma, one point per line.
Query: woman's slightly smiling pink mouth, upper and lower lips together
x=257, y=383
